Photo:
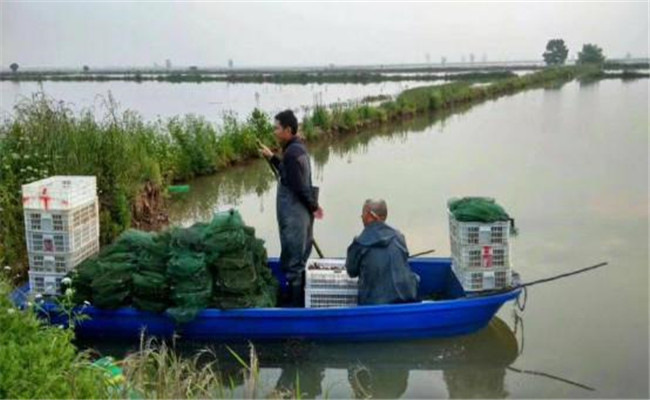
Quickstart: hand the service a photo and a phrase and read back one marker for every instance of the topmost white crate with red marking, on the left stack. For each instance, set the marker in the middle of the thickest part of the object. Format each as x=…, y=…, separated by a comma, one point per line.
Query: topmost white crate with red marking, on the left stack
x=59, y=192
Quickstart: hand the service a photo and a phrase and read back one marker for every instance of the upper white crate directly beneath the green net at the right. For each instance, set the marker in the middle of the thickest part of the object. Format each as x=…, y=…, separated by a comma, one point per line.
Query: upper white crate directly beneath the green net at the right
x=478, y=233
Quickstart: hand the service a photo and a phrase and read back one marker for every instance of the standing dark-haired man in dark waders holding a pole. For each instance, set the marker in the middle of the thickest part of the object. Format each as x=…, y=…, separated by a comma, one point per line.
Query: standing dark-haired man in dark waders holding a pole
x=296, y=203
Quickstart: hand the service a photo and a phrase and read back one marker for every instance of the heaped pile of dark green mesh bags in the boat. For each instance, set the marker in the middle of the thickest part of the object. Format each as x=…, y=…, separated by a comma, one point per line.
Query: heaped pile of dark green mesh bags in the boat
x=181, y=271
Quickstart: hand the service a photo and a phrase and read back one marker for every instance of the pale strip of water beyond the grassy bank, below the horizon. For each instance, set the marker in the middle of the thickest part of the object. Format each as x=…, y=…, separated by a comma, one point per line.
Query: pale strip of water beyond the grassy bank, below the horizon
x=209, y=99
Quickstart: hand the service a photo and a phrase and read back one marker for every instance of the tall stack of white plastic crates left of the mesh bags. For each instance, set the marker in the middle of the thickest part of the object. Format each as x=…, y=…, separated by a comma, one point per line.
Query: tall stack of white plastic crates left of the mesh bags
x=61, y=228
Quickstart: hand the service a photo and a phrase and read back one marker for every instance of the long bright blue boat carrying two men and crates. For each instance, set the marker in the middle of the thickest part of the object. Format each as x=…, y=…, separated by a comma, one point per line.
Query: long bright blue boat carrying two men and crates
x=457, y=314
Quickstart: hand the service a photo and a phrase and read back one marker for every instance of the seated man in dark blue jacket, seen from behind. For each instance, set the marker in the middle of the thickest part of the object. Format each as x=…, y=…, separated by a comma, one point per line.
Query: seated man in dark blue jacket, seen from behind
x=379, y=258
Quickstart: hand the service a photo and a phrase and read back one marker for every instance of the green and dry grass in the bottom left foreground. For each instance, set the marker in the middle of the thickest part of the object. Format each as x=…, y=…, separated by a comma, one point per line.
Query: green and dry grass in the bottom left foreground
x=40, y=361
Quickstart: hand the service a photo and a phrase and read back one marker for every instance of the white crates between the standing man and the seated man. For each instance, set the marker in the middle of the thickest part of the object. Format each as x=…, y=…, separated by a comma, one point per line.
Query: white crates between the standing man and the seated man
x=328, y=285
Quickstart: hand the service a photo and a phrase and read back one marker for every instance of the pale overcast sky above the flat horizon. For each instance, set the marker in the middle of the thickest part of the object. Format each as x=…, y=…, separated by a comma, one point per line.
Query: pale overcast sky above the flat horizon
x=58, y=34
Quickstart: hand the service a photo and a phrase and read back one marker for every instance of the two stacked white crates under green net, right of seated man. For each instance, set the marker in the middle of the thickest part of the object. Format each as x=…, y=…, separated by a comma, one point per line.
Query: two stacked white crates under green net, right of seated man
x=481, y=255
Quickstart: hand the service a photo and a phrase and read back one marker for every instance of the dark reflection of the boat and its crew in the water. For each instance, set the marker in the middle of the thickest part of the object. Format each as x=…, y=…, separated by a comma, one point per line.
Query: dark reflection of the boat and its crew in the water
x=472, y=366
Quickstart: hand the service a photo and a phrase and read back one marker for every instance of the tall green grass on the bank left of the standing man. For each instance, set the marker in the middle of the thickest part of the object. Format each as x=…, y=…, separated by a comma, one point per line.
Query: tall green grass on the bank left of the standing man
x=44, y=138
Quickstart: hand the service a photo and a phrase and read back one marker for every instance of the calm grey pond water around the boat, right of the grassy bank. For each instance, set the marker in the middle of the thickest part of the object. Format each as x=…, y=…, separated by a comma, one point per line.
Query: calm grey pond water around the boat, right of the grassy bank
x=569, y=163
